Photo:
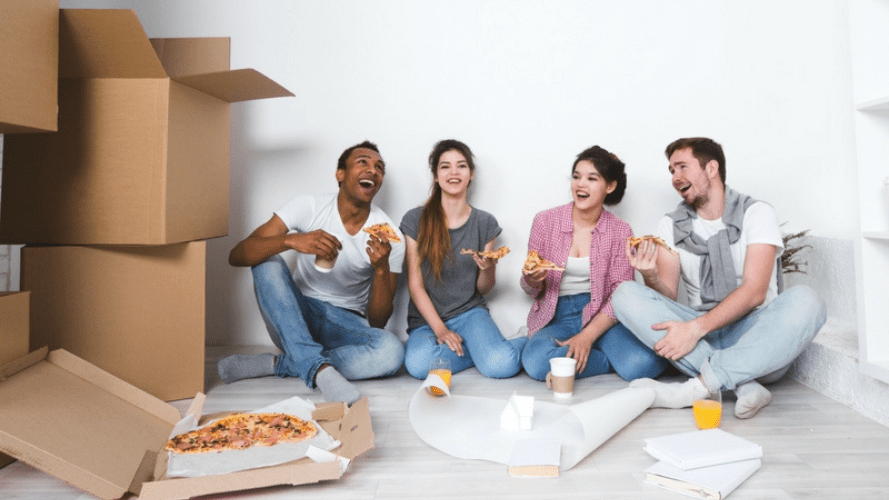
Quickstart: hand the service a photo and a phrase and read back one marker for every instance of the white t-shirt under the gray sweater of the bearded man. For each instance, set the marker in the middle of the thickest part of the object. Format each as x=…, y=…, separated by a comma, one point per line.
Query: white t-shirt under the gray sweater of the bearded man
x=760, y=226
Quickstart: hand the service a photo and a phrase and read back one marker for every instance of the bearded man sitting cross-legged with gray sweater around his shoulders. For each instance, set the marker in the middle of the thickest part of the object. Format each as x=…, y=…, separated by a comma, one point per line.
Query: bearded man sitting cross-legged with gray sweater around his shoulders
x=737, y=329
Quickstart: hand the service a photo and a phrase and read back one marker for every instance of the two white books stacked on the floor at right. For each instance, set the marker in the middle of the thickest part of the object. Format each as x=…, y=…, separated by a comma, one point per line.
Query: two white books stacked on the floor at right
x=703, y=464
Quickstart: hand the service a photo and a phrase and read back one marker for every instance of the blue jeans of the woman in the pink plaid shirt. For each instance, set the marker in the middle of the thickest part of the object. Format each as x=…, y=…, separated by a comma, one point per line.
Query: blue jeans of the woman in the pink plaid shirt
x=615, y=350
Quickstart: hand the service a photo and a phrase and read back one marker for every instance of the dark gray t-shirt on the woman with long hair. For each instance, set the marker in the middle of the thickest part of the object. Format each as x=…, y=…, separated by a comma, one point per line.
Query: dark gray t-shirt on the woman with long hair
x=455, y=293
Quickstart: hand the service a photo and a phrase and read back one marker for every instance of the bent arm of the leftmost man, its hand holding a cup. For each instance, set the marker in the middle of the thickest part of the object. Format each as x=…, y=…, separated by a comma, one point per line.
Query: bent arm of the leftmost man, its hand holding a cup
x=273, y=238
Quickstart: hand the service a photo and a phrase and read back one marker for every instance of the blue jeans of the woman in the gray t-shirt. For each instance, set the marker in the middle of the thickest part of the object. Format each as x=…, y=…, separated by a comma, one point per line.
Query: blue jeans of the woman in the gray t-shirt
x=483, y=347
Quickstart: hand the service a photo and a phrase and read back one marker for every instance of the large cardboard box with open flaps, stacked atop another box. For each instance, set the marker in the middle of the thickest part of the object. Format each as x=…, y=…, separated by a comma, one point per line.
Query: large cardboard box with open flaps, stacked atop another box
x=142, y=152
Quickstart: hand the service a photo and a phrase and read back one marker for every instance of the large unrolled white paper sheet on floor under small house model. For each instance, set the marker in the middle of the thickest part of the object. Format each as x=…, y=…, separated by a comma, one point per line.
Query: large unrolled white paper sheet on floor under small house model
x=469, y=427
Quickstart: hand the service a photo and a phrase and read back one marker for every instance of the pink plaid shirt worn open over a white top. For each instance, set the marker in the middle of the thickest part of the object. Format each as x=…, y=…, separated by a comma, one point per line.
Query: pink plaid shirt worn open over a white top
x=551, y=235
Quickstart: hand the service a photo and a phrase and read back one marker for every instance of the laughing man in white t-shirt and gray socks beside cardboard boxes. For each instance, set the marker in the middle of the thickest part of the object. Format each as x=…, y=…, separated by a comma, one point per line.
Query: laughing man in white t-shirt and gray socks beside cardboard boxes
x=328, y=314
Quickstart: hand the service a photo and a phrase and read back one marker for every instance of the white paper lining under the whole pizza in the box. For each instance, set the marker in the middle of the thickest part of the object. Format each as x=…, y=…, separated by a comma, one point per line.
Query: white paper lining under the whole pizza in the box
x=210, y=464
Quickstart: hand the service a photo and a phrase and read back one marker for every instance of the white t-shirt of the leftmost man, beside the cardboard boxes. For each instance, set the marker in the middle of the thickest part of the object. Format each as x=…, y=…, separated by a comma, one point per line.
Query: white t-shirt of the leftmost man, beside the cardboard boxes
x=347, y=284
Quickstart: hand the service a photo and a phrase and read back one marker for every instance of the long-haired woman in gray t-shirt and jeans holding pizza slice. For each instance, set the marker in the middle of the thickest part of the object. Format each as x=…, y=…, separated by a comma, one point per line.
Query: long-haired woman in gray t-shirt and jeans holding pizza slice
x=447, y=315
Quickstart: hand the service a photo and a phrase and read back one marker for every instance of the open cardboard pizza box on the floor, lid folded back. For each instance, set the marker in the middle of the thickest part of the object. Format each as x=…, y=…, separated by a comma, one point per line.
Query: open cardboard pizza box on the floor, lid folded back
x=74, y=421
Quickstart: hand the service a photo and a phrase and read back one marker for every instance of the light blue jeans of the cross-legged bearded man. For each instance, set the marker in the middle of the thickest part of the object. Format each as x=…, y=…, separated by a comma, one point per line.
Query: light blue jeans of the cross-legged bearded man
x=761, y=345
